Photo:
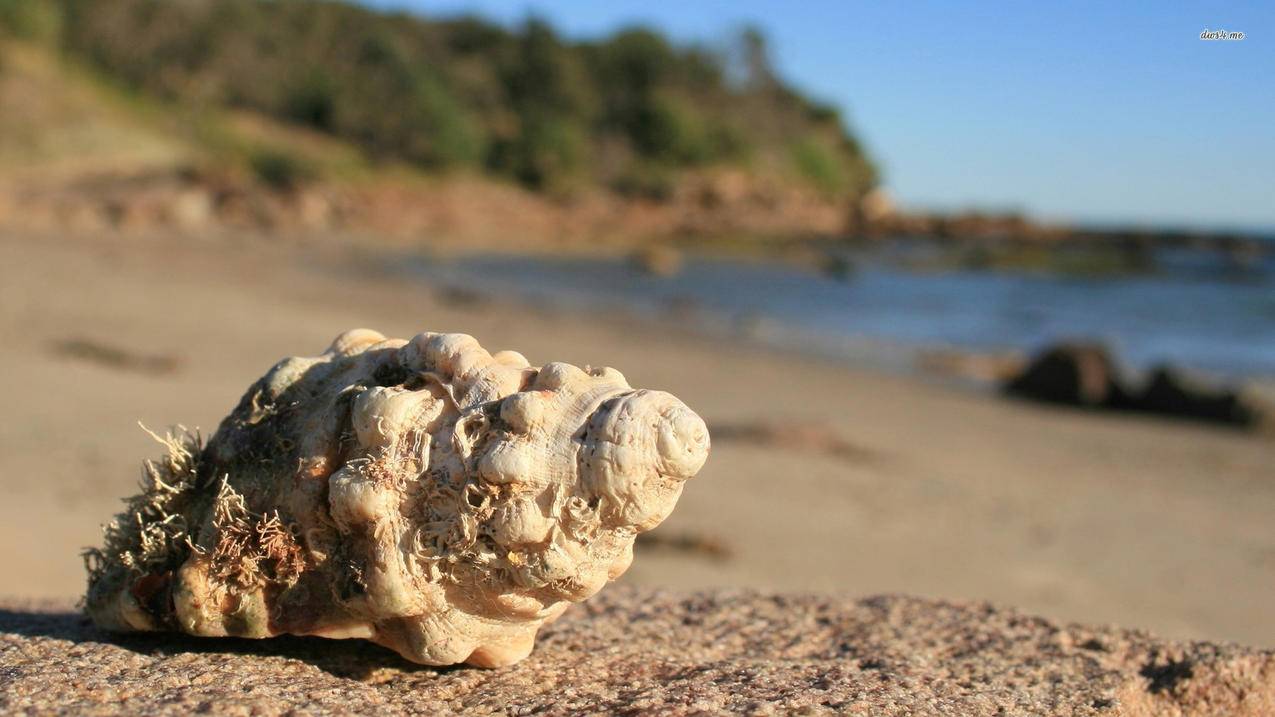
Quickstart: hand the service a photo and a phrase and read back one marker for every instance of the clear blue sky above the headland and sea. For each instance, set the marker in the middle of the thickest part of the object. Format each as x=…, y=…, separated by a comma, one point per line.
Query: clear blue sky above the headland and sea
x=1097, y=113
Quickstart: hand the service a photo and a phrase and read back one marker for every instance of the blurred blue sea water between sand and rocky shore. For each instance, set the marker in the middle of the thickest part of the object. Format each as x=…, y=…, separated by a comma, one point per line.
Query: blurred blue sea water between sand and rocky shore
x=1189, y=308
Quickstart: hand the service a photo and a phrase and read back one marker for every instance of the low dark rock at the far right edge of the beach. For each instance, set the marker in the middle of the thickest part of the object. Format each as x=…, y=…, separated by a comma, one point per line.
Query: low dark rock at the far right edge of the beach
x=1175, y=392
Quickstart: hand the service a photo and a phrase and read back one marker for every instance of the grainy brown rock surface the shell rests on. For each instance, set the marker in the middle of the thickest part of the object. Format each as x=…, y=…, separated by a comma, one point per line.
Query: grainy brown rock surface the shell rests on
x=633, y=651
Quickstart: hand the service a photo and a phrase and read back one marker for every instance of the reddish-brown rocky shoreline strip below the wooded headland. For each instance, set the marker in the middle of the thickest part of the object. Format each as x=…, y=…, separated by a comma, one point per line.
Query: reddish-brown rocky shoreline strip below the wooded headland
x=395, y=206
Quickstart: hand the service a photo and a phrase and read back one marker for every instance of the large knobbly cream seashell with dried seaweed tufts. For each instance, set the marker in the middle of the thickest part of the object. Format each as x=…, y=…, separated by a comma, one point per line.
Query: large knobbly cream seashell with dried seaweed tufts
x=424, y=494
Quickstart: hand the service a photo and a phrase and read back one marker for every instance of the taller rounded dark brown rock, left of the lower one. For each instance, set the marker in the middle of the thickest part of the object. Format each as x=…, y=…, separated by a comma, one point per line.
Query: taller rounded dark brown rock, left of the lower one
x=1075, y=374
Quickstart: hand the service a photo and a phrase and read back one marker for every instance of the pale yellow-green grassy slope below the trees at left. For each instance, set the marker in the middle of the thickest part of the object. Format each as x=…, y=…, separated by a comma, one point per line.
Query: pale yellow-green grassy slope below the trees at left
x=62, y=122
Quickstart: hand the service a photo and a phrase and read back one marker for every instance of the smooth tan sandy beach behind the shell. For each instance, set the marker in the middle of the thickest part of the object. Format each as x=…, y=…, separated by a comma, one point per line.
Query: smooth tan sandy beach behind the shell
x=908, y=485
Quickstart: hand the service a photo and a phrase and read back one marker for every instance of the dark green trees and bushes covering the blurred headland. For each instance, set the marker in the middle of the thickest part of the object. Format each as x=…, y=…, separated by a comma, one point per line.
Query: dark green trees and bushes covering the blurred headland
x=630, y=112
